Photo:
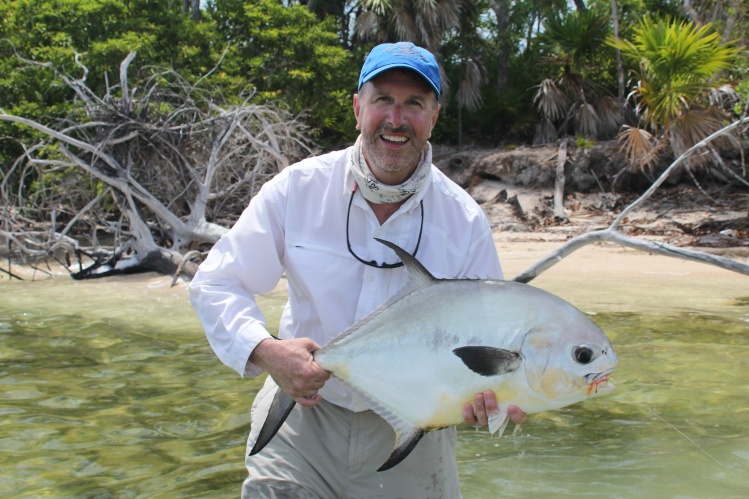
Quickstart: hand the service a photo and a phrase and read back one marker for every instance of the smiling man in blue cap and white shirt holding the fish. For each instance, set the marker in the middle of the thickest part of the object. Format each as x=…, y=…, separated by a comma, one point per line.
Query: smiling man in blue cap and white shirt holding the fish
x=316, y=222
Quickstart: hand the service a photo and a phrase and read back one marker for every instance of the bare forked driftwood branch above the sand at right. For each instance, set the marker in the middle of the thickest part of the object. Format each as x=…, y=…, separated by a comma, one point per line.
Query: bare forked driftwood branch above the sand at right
x=611, y=234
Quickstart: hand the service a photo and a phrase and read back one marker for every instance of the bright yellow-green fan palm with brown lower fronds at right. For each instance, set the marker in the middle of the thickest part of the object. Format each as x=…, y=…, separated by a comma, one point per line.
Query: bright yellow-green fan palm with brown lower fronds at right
x=677, y=63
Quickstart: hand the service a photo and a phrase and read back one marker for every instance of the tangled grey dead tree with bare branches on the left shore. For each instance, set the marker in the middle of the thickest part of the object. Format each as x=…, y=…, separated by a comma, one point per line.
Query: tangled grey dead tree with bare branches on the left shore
x=155, y=169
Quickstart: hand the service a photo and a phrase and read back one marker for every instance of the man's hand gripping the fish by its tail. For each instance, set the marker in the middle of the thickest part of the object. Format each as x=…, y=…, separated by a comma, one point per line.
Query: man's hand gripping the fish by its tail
x=292, y=367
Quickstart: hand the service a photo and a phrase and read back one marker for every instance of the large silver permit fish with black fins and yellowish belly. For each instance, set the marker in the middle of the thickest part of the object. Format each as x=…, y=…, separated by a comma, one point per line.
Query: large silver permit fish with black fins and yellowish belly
x=423, y=354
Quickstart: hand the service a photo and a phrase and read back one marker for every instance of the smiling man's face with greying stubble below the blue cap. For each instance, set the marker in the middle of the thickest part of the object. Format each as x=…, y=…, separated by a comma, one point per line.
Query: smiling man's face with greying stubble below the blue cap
x=396, y=112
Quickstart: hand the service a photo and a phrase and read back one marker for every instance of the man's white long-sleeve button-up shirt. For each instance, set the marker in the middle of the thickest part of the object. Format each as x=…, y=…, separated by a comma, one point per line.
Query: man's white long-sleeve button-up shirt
x=297, y=225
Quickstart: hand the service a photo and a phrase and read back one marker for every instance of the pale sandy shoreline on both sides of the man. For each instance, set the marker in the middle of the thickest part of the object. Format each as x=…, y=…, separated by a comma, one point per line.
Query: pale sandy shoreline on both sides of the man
x=598, y=277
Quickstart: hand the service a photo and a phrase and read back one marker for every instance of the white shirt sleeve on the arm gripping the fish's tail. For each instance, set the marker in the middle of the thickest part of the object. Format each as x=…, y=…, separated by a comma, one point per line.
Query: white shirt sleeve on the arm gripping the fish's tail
x=245, y=262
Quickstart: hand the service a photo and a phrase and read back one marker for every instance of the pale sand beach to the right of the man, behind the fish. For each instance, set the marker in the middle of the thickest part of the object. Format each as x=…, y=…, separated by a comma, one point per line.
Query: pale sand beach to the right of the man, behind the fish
x=613, y=278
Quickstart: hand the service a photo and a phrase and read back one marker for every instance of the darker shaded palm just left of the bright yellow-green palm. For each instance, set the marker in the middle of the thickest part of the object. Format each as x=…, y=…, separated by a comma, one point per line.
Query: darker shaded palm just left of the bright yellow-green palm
x=570, y=101
